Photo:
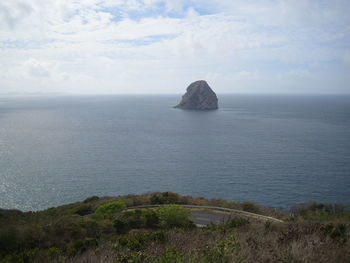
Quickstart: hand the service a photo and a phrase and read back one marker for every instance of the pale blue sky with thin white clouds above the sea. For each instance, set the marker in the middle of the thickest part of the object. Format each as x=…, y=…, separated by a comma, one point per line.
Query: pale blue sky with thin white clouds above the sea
x=161, y=46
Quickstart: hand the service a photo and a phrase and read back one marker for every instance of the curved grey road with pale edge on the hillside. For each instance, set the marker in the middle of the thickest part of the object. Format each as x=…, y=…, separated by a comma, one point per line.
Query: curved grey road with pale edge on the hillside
x=204, y=215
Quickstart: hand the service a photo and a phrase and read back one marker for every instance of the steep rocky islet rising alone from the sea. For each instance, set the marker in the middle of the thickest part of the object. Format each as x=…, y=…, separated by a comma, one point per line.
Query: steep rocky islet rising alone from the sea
x=199, y=96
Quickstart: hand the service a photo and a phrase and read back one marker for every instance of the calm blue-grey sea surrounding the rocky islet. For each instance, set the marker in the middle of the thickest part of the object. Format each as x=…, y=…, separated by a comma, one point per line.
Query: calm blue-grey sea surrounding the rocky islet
x=276, y=150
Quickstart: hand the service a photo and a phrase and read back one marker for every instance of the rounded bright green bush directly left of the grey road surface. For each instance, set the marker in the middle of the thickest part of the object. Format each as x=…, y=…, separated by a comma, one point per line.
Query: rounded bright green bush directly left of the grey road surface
x=174, y=216
